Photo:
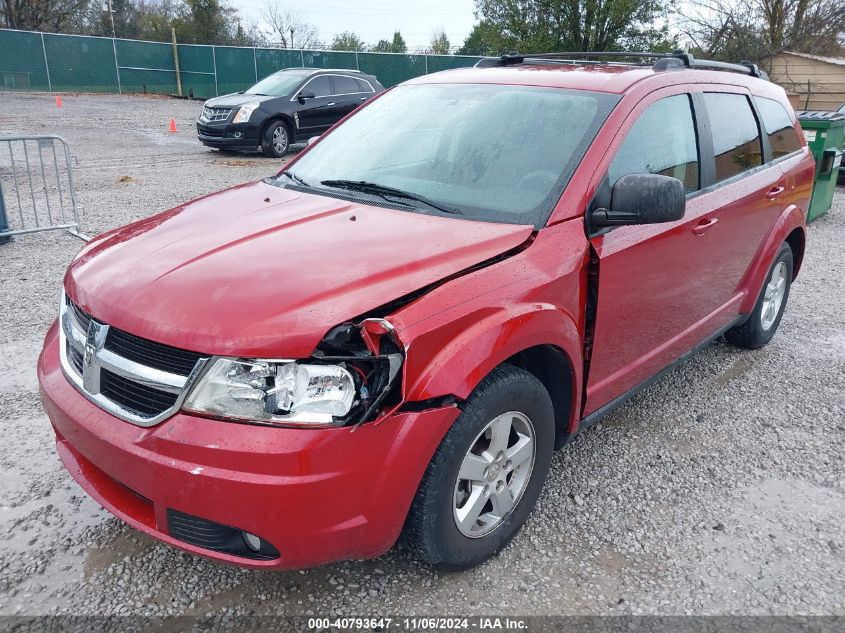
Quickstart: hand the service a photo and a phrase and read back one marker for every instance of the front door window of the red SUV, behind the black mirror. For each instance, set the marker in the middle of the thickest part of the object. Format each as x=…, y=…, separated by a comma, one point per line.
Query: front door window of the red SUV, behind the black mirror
x=662, y=141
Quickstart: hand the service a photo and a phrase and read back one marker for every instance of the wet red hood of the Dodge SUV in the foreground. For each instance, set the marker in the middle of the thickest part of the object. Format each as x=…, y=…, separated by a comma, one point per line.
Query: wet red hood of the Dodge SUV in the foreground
x=258, y=270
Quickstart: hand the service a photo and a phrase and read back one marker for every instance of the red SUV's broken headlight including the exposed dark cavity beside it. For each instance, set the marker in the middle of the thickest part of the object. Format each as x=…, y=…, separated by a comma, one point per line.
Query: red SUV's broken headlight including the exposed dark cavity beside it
x=327, y=392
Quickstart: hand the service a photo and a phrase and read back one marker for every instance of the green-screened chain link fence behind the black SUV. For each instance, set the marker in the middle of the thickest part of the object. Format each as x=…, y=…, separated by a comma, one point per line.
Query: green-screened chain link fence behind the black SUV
x=76, y=63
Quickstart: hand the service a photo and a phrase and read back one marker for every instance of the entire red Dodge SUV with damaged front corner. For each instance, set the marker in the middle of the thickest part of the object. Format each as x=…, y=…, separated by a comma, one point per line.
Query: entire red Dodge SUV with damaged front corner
x=394, y=333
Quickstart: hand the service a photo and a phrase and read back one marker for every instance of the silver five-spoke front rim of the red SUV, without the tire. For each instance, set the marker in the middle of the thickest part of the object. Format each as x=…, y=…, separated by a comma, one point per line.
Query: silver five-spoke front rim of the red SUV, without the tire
x=494, y=474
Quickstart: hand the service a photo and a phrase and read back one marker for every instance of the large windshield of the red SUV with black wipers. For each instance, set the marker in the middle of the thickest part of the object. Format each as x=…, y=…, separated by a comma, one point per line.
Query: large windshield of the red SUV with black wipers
x=488, y=152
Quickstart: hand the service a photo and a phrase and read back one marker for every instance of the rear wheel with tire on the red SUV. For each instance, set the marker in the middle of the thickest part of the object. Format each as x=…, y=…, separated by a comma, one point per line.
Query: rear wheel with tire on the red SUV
x=764, y=320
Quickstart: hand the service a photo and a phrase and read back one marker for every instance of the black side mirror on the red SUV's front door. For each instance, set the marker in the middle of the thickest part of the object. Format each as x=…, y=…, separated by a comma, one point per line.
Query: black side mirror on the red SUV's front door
x=642, y=199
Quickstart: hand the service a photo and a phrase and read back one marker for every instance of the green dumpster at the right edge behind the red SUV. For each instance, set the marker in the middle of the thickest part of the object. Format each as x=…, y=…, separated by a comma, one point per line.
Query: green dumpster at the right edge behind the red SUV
x=825, y=134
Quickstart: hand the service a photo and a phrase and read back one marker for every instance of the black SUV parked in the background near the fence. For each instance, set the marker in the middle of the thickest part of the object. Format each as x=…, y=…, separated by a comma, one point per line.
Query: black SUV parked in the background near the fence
x=289, y=106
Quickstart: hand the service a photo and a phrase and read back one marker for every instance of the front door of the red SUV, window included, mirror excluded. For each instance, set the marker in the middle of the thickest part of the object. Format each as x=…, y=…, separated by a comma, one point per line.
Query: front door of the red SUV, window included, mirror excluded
x=656, y=292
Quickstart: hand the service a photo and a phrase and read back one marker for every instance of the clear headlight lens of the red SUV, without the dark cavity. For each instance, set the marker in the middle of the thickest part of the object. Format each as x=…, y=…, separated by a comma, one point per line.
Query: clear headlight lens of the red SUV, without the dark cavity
x=276, y=392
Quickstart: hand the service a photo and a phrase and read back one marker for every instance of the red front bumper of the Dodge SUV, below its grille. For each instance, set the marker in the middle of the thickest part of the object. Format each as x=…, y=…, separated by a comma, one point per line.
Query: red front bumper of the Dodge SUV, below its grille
x=314, y=495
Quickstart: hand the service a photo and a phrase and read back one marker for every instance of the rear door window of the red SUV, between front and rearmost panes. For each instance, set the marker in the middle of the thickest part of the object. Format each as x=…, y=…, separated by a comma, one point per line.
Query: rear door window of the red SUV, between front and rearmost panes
x=736, y=139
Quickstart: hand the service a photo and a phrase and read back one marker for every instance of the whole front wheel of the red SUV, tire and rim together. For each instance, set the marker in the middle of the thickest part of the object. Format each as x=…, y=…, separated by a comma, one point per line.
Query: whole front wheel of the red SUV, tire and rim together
x=431, y=531
